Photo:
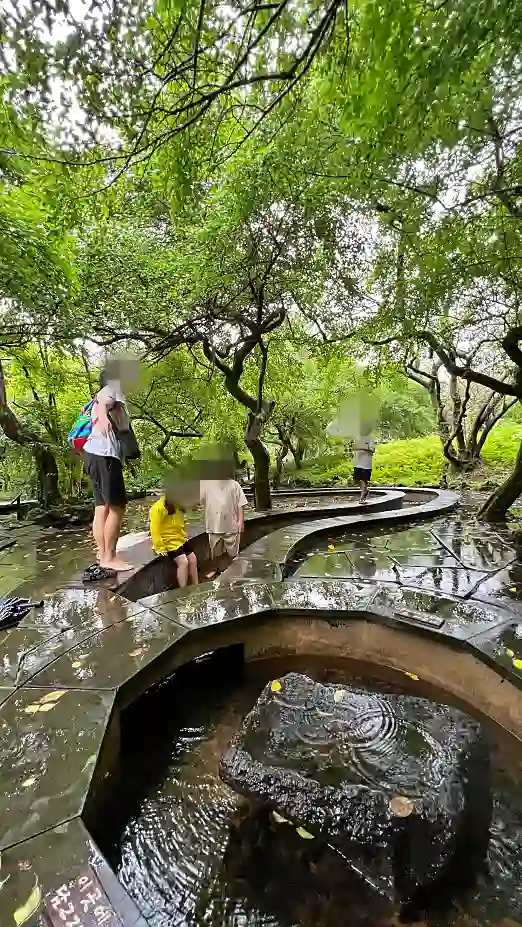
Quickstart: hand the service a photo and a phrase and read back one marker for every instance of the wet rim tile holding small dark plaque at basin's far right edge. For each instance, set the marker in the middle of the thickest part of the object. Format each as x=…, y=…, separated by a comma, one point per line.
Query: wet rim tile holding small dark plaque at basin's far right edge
x=461, y=620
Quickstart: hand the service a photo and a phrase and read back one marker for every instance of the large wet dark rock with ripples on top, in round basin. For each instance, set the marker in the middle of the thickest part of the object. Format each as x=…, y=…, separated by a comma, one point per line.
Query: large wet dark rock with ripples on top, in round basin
x=399, y=785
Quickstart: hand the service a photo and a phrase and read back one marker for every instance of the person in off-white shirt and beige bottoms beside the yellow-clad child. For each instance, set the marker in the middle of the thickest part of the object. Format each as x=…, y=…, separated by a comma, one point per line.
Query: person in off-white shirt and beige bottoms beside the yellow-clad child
x=223, y=502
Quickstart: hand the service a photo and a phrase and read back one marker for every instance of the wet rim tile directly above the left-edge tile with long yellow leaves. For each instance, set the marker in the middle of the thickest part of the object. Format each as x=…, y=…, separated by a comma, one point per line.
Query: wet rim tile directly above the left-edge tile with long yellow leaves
x=111, y=657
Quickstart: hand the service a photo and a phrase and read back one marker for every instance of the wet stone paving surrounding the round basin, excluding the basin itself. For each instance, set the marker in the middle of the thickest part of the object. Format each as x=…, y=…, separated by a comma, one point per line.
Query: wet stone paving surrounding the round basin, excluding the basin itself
x=86, y=652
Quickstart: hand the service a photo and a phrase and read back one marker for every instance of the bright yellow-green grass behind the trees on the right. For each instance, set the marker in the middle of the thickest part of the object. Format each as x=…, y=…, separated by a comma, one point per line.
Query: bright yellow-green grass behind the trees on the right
x=414, y=461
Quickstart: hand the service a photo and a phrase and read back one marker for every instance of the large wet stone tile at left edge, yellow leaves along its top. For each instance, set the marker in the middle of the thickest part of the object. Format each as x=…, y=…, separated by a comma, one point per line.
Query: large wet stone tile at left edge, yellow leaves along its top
x=49, y=743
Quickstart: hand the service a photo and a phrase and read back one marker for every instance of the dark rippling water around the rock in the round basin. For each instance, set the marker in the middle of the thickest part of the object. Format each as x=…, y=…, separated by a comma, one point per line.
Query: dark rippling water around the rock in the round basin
x=181, y=848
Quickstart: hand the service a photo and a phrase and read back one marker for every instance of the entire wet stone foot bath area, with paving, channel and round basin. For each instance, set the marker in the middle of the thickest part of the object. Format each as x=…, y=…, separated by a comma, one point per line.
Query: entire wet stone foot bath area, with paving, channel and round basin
x=330, y=733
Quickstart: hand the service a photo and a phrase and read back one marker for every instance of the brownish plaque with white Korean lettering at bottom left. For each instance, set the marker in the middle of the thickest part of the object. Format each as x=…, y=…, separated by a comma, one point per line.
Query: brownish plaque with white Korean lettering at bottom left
x=80, y=903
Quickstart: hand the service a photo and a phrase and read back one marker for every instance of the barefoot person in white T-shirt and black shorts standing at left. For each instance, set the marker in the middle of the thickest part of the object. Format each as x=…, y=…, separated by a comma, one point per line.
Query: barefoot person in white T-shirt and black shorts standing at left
x=103, y=461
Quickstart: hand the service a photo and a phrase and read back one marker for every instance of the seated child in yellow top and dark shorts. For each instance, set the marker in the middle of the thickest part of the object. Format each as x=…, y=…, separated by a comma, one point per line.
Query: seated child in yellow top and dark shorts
x=169, y=537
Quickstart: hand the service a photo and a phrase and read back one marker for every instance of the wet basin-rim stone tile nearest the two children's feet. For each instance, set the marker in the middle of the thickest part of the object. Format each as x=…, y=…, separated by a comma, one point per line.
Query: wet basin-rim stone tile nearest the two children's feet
x=212, y=604
